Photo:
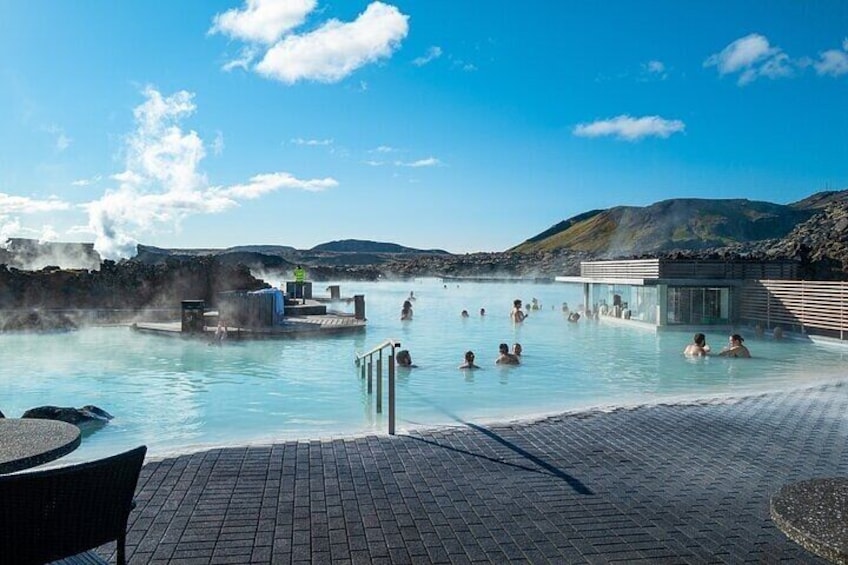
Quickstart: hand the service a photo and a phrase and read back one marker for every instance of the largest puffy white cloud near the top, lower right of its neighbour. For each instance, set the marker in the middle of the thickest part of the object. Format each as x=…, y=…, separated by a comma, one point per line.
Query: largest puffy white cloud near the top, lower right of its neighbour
x=336, y=49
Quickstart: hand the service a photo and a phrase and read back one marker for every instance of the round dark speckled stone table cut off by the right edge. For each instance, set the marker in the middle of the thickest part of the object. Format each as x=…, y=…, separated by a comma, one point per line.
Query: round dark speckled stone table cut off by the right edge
x=814, y=513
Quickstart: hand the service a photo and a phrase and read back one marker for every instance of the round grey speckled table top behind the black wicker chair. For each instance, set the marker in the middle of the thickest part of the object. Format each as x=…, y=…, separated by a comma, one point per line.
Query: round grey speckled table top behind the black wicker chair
x=27, y=442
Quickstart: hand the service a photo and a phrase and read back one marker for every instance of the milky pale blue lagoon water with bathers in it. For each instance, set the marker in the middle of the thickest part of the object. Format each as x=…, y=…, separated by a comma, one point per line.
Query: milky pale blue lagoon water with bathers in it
x=179, y=395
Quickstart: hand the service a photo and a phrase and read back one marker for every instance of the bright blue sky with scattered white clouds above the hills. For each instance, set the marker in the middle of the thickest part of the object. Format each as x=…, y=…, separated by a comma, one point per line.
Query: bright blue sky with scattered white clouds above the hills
x=467, y=126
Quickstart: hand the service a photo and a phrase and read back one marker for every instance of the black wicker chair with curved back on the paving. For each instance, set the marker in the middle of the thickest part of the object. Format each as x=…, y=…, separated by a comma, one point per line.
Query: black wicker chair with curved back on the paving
x=58, y=513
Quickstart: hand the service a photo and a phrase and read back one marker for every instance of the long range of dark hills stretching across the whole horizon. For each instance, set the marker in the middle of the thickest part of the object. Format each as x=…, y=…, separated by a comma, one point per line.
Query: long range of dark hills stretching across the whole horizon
x=813, y=230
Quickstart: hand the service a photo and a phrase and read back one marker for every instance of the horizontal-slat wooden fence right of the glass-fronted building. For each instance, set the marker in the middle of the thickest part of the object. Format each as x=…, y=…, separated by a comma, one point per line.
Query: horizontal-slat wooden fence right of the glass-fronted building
x=812, y=307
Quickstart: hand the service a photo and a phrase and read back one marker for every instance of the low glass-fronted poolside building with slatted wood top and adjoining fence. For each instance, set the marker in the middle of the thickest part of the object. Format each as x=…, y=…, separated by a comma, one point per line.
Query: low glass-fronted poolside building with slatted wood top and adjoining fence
x=669, y=292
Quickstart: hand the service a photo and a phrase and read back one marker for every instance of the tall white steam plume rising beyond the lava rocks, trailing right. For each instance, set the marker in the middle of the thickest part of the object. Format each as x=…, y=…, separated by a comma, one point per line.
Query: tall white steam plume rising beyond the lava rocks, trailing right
x=162, y=183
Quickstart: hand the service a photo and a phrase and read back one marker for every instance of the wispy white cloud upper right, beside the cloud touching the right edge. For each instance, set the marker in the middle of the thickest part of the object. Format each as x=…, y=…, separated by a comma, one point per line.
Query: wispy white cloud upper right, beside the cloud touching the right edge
x=751, y=56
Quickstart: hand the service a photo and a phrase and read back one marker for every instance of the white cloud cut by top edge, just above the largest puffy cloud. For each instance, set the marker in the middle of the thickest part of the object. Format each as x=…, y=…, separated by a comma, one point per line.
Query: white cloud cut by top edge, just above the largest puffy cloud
x=262, y=21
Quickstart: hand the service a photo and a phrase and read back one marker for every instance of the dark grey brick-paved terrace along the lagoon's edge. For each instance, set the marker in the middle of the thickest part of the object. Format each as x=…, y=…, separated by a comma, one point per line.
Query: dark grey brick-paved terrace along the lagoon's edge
x=657, y=484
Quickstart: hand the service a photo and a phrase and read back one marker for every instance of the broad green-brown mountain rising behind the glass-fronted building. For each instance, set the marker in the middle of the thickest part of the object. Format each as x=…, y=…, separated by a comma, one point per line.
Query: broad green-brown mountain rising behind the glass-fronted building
x=681, y=223
